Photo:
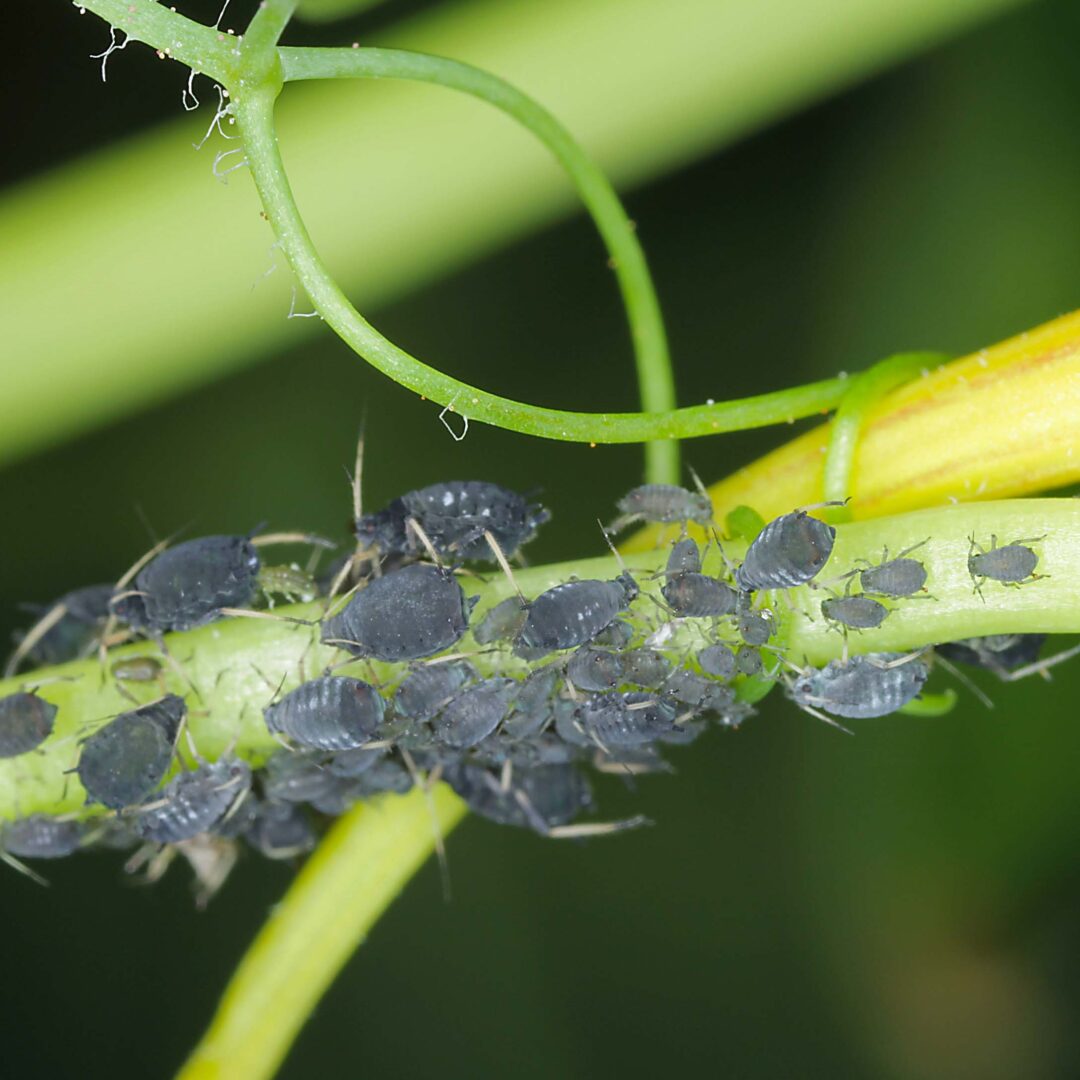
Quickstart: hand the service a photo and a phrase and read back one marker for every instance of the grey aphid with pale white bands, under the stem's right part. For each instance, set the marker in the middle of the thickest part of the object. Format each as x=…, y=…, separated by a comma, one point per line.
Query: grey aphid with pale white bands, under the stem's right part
x=863, y=687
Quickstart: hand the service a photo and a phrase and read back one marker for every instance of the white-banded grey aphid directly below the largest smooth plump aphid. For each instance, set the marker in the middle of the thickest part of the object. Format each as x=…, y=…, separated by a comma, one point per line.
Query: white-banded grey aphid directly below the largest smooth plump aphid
x=333, y=712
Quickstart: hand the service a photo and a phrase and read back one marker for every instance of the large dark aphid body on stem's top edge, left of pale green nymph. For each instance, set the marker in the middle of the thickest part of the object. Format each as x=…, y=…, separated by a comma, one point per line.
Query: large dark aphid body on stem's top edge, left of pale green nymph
x=187, y=586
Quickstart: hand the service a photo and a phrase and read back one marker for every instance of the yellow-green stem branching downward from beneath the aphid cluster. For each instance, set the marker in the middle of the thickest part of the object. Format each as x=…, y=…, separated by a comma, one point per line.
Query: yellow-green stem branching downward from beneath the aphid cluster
x=360, y=868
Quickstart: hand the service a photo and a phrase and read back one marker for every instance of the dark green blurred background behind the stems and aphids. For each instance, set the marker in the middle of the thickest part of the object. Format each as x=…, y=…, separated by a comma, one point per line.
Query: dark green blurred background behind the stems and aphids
x=900, y=904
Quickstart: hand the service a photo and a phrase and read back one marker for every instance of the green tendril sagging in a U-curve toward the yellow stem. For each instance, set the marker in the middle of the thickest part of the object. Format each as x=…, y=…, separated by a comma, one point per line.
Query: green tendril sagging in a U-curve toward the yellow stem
x=255, y=116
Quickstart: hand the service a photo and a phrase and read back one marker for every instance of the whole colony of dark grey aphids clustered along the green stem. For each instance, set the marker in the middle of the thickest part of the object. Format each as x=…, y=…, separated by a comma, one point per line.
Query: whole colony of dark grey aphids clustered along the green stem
x=579, y=676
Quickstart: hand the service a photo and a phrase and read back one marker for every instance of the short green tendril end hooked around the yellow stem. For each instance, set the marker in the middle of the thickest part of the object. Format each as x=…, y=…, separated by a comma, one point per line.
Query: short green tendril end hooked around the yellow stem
x=866, y=390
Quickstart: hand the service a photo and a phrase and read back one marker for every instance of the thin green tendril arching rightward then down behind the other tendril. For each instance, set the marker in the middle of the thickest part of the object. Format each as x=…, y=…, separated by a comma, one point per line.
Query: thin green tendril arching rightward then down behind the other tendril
x=656, y=382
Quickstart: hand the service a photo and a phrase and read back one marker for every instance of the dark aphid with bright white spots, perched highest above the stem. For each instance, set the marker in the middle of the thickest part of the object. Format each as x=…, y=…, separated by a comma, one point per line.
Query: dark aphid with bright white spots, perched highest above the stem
x=455, y=517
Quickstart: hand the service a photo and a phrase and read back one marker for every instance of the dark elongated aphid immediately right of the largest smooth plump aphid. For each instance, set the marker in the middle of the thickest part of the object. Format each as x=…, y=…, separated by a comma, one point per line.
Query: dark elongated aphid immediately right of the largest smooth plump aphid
x=575, y=613
